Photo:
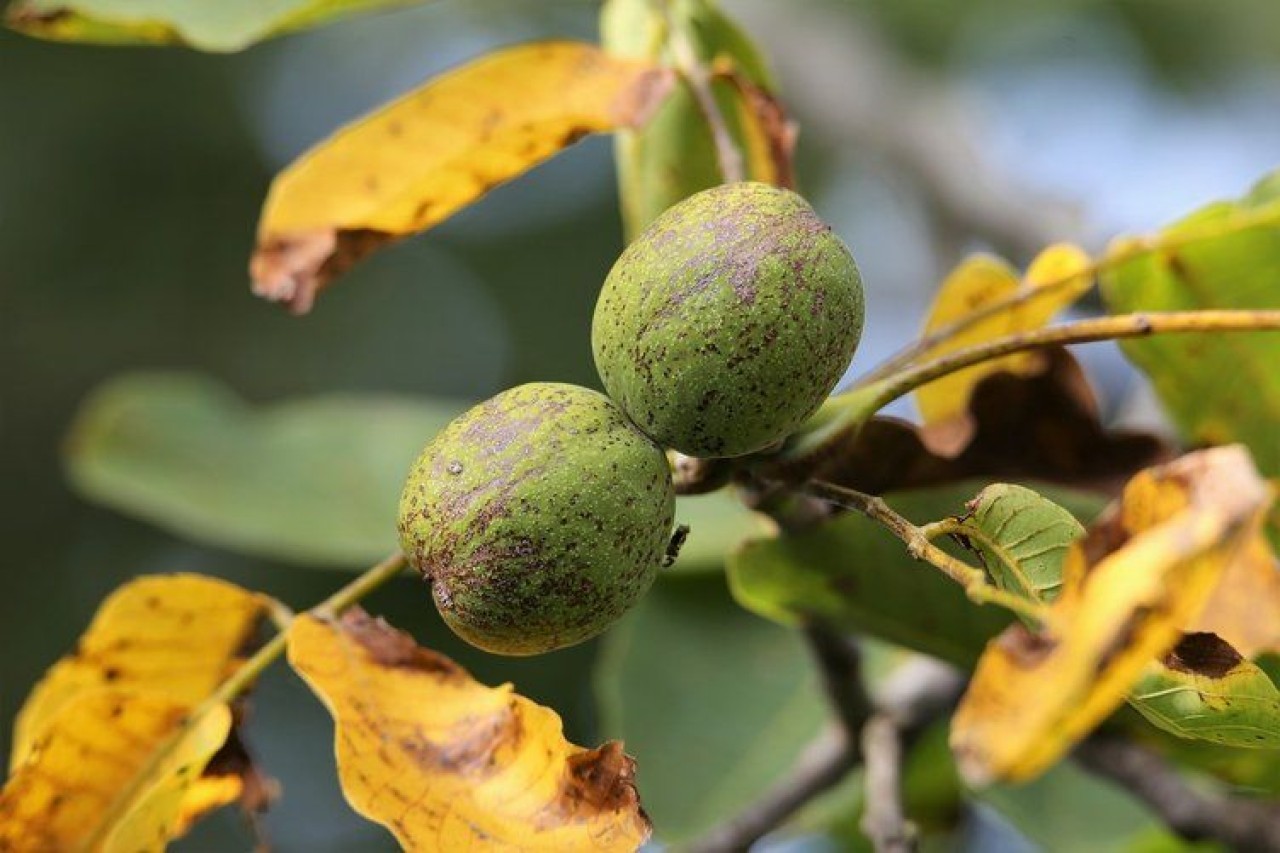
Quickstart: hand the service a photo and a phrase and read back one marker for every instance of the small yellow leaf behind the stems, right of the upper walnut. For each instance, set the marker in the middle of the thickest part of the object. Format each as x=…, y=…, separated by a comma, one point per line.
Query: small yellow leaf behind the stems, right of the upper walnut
x=980, y=285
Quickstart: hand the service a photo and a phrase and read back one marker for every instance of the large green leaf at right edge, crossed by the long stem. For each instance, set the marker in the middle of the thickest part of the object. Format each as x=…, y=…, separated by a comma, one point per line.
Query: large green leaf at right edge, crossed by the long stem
x=1219, y=389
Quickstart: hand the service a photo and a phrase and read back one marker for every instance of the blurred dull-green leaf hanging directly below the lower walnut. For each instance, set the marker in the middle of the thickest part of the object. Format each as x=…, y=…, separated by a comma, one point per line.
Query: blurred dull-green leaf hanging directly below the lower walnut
x=716, y=704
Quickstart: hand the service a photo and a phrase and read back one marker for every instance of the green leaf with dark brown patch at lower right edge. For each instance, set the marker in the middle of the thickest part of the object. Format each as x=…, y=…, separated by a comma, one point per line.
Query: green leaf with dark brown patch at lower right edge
x=1206, y=691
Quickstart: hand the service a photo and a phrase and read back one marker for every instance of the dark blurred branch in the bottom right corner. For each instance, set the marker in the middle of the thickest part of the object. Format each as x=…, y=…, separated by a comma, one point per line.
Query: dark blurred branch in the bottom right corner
x=1240, y=824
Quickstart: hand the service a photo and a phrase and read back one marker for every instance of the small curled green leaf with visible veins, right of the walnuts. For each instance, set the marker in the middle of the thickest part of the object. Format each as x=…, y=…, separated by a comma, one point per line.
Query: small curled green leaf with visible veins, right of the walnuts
x=1022, y=539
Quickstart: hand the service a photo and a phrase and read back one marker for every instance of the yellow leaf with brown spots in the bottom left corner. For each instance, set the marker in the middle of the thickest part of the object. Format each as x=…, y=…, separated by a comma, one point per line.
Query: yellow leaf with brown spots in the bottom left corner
x=157, y=650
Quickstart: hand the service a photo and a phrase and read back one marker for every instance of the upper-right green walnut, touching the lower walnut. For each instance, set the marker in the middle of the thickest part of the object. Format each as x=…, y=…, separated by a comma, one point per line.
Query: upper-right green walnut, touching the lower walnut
x=729, y=321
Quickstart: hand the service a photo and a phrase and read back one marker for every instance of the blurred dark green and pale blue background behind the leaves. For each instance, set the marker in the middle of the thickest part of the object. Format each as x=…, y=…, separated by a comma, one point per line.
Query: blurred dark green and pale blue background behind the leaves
x=131, y=183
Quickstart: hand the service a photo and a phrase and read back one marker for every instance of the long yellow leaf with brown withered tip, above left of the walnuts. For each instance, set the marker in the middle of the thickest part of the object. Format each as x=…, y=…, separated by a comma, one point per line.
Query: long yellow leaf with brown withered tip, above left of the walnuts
x=422, y=158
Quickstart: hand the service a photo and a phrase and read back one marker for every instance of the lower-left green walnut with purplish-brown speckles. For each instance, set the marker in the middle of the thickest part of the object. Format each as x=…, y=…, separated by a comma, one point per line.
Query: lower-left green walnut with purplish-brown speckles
x=540, y=518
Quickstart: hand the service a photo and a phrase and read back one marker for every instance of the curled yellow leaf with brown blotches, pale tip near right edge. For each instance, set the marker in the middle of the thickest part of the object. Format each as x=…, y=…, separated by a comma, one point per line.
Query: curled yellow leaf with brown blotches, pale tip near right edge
x=1130, y=587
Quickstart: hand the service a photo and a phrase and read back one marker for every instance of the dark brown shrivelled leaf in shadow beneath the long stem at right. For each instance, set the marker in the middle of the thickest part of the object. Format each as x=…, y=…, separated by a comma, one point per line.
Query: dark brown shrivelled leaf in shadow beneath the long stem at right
x=1044, y=427
